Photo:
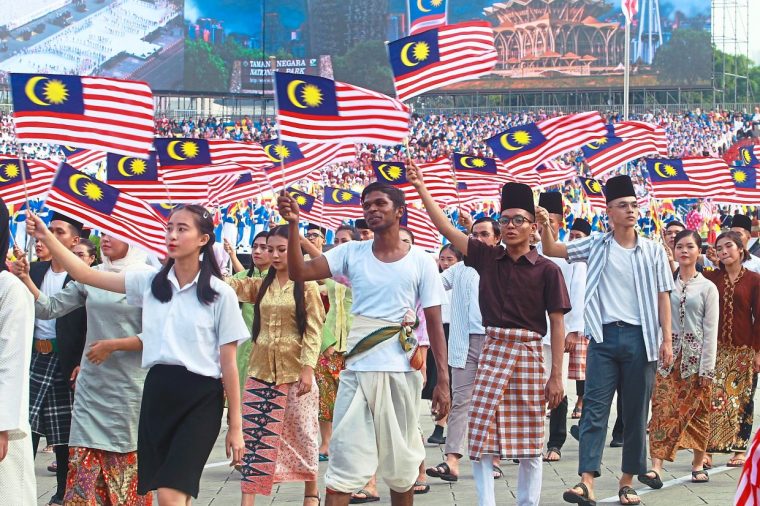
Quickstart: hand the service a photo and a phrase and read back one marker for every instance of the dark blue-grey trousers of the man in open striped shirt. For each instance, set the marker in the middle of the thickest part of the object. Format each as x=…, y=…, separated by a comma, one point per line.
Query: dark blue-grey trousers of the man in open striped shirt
x=620, y=360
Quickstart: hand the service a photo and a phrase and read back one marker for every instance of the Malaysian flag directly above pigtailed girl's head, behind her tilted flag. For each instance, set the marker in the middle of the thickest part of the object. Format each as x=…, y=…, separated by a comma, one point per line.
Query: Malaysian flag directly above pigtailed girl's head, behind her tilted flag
x=139, y=177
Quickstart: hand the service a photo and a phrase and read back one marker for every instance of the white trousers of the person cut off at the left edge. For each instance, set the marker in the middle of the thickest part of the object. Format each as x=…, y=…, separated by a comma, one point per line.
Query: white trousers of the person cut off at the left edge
x=18, y=486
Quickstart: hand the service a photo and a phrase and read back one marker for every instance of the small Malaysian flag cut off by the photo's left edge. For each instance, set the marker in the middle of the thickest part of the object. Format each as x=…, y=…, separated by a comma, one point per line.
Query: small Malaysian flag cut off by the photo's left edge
x=39, y=176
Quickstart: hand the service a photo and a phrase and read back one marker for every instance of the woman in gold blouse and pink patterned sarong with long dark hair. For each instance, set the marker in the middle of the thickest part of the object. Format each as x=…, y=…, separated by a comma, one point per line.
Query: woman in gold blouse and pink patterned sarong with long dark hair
x=281, y=399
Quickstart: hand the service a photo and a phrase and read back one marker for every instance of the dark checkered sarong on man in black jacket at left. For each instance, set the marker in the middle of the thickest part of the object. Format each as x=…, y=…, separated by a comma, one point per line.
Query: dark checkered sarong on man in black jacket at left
x=50, y=399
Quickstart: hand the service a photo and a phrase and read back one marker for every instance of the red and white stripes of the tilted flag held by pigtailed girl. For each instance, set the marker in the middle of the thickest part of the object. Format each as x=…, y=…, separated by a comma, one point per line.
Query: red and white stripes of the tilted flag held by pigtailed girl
x=132, y=220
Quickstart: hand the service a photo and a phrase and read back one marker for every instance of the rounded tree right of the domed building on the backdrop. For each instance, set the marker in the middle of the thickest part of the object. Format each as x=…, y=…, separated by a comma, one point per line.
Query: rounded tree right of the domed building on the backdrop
x=686, y=58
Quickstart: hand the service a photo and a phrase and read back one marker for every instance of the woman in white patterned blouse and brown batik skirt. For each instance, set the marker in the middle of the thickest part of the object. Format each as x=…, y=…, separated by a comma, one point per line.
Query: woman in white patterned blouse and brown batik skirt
x=681, y=398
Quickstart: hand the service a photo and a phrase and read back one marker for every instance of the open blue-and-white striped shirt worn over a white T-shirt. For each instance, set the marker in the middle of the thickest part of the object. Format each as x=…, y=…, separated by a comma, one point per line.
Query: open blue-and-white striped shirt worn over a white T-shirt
x=651, y=272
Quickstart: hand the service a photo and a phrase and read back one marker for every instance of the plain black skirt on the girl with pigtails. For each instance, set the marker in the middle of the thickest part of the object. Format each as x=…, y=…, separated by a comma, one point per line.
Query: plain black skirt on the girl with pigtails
x=180, y=418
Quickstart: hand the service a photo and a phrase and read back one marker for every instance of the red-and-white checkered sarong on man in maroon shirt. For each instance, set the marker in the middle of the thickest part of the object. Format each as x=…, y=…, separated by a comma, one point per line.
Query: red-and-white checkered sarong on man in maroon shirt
x=508, y=406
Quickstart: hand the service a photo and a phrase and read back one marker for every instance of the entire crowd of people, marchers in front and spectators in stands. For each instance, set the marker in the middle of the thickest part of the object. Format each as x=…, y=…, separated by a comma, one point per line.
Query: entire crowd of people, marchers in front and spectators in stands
x=321, y=350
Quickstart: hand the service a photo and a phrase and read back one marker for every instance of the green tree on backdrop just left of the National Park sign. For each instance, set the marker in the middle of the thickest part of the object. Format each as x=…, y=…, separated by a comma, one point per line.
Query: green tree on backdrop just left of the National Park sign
x=204, y=69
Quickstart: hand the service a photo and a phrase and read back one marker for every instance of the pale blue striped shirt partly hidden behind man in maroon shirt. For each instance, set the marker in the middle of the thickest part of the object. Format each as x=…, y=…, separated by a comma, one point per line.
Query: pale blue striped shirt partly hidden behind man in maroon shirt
x=464, y=283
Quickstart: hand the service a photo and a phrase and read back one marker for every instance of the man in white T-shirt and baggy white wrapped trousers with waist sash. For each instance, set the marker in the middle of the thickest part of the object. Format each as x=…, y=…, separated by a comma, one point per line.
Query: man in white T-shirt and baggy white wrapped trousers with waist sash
x=375, y=421
